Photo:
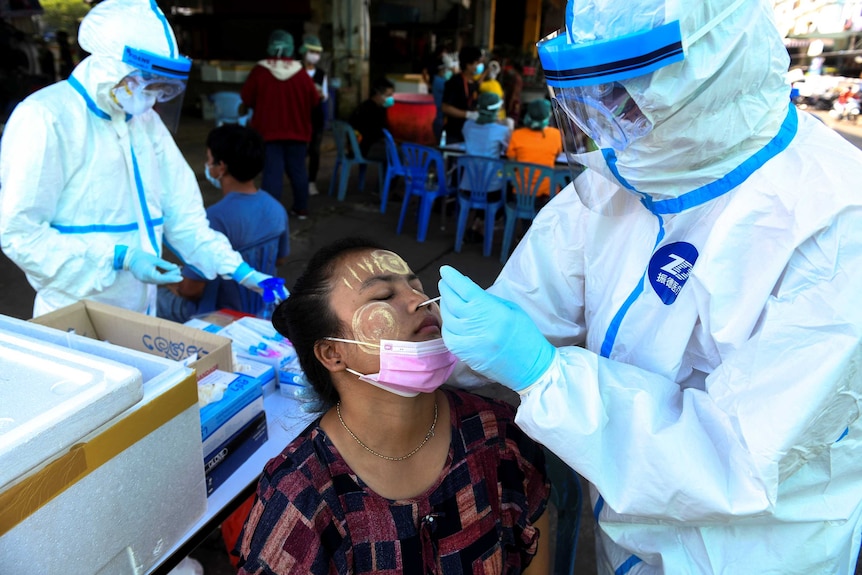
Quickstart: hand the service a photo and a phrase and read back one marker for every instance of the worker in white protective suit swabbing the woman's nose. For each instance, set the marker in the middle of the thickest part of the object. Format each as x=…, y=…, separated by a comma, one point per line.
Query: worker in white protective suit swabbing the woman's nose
x=683, y=322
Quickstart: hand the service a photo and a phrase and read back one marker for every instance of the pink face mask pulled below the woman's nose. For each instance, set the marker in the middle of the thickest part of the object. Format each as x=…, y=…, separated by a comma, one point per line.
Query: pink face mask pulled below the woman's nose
x=408, y=368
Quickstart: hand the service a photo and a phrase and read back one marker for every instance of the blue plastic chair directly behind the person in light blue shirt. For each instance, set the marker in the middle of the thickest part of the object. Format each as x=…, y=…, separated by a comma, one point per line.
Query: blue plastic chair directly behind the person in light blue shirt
x=477, y=178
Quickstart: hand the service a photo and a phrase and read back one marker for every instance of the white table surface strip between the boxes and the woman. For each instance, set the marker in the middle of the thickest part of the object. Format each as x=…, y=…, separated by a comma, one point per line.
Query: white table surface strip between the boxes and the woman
x=284, y=421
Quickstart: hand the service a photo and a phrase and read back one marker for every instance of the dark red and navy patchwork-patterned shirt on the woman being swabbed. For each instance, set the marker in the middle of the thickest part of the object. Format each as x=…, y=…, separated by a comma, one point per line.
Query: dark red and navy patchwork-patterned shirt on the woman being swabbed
x=313, y=515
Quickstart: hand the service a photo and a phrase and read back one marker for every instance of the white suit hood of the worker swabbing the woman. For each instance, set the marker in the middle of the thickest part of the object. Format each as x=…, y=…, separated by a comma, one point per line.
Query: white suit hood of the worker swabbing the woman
x=712, y=110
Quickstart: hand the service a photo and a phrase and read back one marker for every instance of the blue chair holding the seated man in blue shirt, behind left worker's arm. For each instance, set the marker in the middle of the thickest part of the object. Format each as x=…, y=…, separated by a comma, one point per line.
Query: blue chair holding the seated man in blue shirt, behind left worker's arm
x=261, y=256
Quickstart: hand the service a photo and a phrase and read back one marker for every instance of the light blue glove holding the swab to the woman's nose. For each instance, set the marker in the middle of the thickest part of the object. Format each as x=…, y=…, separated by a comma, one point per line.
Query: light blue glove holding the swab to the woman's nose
x=493, y=336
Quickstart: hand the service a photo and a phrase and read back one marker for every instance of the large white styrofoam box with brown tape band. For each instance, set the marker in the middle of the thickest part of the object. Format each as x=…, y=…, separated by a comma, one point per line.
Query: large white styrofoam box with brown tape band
x=127, y=488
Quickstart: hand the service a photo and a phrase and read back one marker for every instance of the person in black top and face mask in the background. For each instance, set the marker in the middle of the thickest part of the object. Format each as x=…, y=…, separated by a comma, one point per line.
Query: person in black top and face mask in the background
x=461, y=93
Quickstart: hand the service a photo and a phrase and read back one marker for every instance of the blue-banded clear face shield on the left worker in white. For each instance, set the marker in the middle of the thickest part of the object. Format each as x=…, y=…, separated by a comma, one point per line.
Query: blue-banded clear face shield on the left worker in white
x=158, y=82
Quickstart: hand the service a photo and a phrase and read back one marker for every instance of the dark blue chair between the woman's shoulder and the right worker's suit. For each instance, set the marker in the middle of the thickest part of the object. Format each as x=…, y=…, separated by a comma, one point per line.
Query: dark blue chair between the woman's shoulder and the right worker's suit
x=567, y=498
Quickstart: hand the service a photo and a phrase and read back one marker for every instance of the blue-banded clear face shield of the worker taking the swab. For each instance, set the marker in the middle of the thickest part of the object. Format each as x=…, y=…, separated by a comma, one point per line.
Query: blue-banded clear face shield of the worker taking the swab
x=590, y=87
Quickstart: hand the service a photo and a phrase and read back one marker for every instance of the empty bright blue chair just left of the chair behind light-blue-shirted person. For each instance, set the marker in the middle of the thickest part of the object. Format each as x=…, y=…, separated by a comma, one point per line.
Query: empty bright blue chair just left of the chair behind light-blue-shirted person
x=425, y=178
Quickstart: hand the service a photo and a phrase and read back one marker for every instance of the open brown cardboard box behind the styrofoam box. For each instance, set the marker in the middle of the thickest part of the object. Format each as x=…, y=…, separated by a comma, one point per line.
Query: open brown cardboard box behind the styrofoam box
x=202, y=351
